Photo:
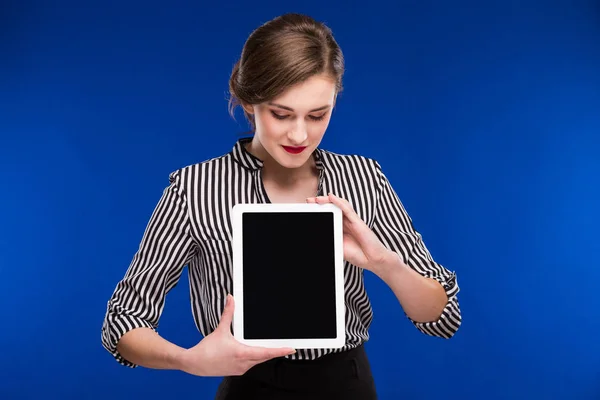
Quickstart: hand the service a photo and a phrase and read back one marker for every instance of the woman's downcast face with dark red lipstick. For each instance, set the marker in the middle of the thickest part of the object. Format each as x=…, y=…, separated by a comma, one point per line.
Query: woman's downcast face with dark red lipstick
x=290, y=127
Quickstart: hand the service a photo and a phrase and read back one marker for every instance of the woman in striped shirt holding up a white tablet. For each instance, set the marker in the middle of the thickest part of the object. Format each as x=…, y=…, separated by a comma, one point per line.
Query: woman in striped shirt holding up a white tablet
x=287, y=81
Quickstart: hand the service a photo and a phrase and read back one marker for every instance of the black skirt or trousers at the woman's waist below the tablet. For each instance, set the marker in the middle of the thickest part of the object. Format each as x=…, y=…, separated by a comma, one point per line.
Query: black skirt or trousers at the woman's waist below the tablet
x=345, y=375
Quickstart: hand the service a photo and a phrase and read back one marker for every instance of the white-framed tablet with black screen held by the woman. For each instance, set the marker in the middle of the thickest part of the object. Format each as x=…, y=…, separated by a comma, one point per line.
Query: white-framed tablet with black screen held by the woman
x=288, y=275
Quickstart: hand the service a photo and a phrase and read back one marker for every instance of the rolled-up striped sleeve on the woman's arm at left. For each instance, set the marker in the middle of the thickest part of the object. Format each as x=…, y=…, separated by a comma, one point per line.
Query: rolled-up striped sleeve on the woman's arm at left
x=166, y=247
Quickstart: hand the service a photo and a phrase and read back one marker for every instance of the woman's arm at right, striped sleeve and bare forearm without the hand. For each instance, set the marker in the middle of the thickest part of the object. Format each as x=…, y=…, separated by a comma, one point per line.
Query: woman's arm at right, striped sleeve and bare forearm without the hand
x=426, y=290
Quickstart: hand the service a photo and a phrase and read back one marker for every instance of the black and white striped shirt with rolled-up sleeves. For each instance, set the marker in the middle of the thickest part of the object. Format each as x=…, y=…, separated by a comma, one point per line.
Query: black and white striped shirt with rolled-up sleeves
x=191, y=226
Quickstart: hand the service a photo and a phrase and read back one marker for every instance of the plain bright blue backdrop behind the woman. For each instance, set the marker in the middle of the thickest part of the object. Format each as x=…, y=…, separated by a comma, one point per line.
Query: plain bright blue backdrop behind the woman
x=484, y=115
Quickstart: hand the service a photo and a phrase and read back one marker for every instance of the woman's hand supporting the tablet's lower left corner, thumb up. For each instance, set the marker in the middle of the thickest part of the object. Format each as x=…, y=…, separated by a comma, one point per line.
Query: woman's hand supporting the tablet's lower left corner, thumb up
x=220, y=354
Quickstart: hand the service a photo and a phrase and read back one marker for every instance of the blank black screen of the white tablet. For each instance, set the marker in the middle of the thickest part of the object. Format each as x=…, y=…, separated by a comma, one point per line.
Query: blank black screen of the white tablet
x=289, y=275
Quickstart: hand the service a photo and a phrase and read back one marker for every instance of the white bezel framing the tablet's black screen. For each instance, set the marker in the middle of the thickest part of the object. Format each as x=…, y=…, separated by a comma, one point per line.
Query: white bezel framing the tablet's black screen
x=238, y=272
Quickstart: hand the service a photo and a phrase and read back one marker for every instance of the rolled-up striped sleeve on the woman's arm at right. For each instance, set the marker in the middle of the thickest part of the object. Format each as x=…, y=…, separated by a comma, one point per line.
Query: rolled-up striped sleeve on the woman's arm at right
x=395, y=229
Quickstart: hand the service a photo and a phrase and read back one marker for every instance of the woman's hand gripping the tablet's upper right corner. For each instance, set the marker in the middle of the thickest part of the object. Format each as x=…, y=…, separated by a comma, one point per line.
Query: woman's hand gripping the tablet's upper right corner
x=361, y=246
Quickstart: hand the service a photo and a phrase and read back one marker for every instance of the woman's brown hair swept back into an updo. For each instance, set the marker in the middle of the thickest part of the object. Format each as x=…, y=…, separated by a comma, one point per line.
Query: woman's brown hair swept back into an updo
x=281, y=53
